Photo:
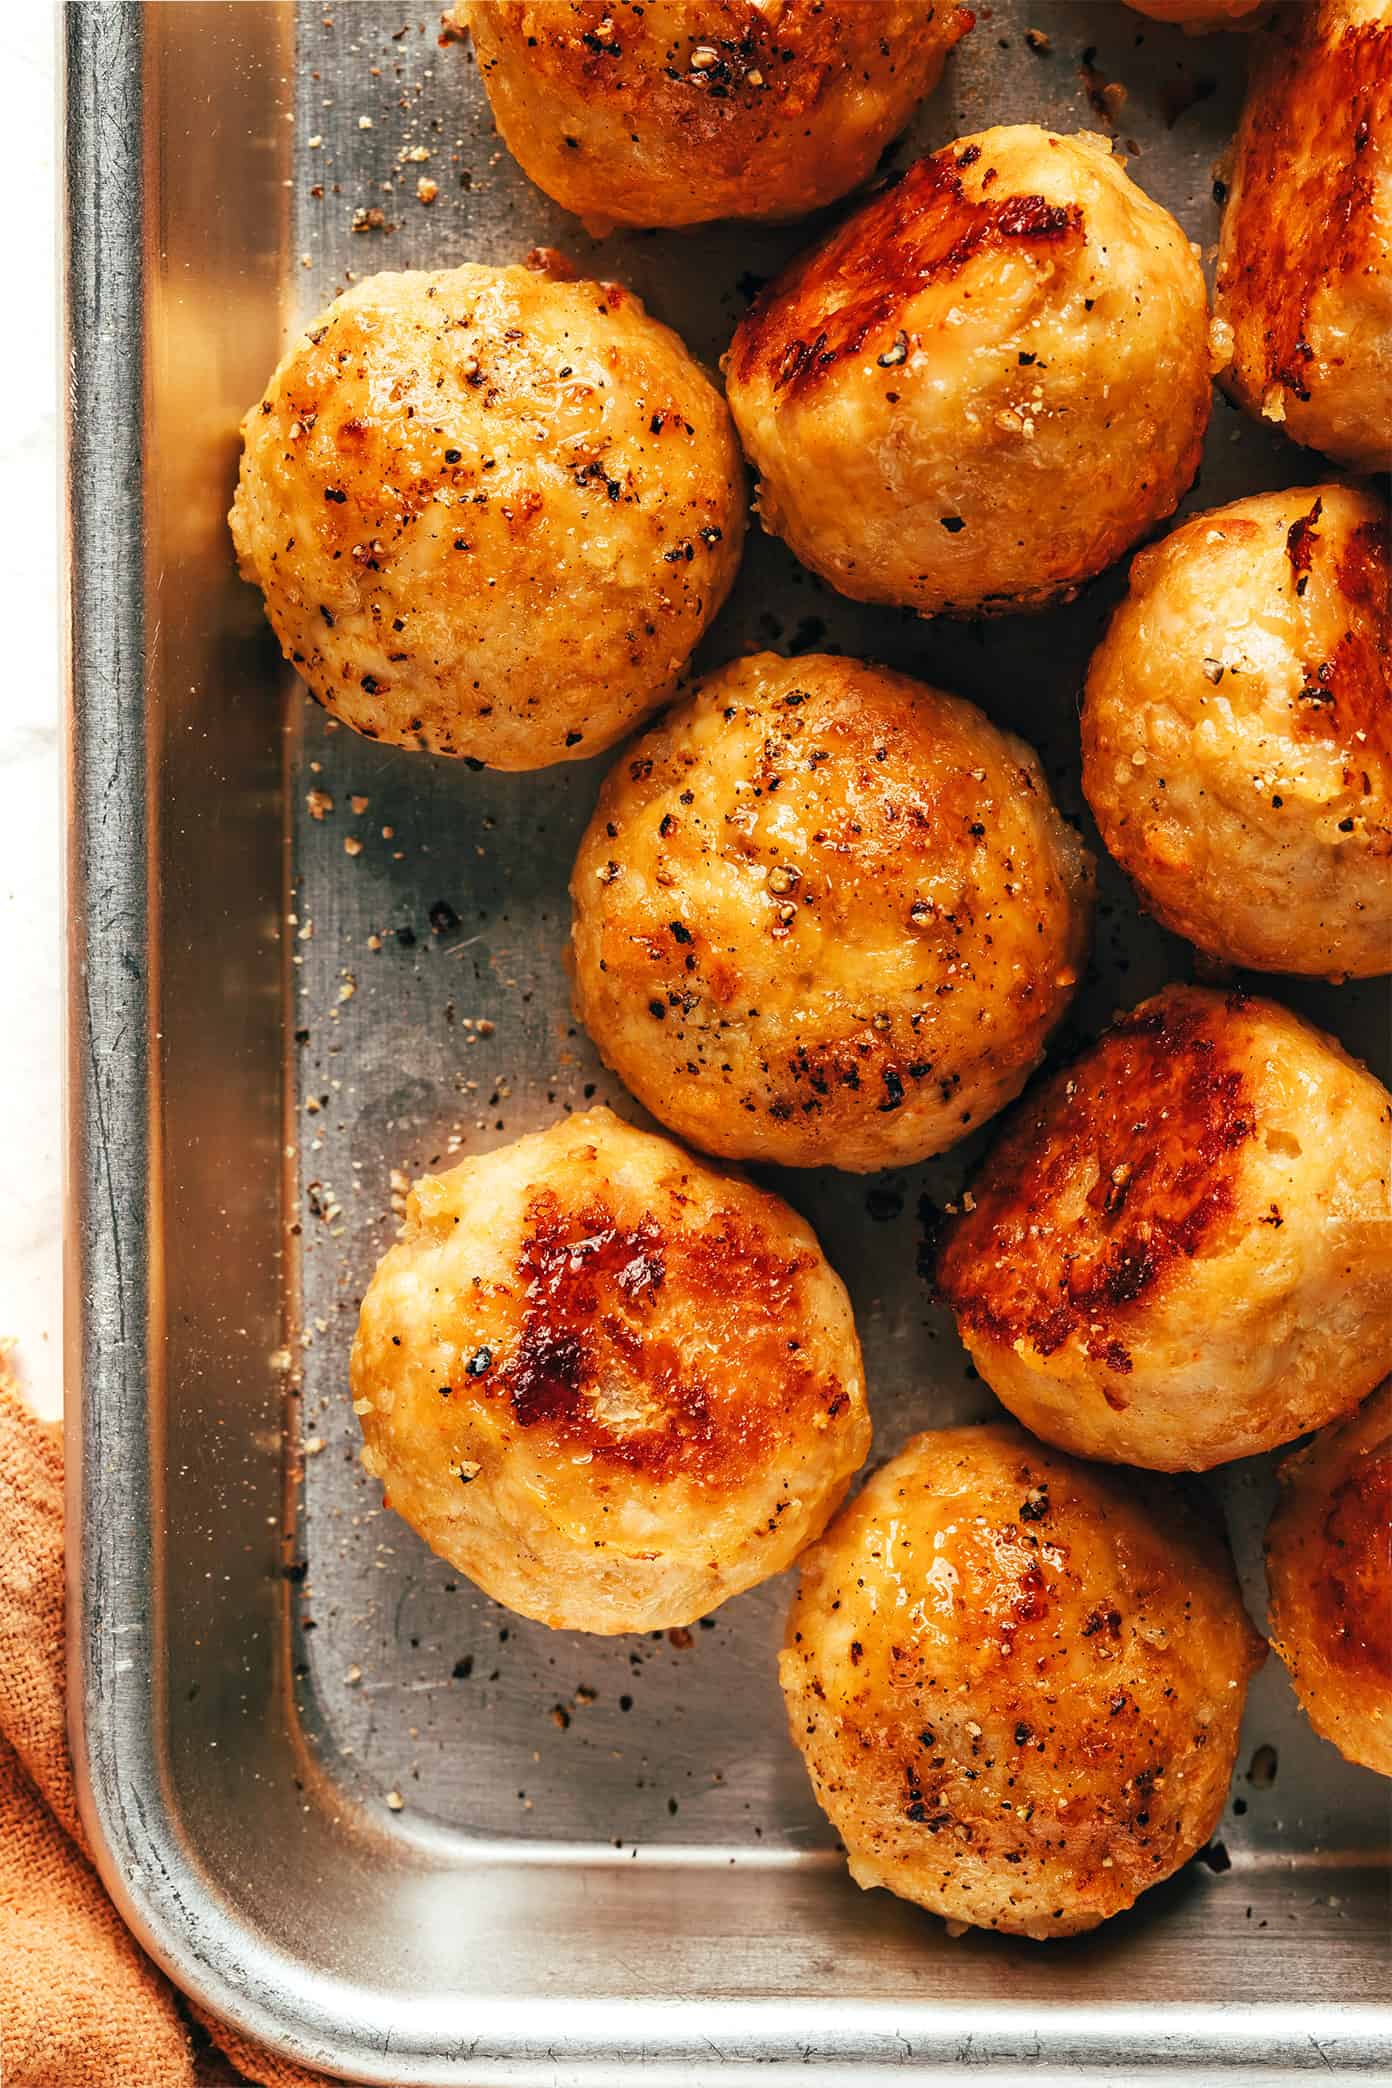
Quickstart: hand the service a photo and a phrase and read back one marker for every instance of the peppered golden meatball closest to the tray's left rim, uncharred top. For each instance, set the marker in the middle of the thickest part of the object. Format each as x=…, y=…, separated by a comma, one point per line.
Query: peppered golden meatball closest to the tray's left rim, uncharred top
x=491, y=513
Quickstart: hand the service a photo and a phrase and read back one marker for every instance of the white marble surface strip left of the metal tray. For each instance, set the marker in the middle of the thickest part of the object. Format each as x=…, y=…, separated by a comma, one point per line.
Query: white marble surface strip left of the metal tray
x=30, y=732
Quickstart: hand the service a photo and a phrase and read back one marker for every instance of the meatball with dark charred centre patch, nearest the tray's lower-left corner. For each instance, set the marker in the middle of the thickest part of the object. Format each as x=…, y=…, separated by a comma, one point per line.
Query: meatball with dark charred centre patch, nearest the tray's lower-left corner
x=606, y=1381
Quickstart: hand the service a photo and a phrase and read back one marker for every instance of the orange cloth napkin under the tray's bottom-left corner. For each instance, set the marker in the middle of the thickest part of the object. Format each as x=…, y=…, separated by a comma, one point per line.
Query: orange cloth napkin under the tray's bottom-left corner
x=80, y=2006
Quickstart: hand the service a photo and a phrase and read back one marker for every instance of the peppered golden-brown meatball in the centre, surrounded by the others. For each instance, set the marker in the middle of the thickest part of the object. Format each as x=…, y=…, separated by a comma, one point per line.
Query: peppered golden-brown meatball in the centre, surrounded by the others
x=825, y=916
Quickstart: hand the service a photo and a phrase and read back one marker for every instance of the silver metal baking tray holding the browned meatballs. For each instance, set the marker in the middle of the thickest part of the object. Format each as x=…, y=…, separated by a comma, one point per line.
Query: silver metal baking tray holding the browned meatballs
x=341, y=1797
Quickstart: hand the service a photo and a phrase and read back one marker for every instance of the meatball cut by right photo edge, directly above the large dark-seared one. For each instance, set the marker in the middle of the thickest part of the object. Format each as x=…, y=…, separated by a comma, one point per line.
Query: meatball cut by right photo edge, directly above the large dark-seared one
x=1239, y=732
